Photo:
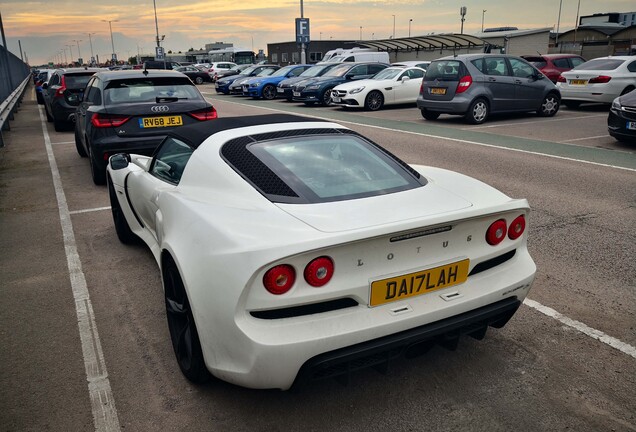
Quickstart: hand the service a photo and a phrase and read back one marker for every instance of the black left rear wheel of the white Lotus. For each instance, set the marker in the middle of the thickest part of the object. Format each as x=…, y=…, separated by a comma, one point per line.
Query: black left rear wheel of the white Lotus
x=183, y=330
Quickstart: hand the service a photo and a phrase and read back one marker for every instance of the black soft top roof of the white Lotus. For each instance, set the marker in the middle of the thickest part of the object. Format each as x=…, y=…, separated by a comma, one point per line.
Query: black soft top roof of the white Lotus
x=195, y=134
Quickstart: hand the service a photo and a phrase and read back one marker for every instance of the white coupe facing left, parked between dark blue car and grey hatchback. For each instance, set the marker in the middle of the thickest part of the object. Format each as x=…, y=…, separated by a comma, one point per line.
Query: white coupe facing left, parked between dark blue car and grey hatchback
x=394, y=85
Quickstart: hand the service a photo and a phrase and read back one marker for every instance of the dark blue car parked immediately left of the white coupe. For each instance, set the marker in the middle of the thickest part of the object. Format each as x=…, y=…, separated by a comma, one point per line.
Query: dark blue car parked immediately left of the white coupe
x=318, y=90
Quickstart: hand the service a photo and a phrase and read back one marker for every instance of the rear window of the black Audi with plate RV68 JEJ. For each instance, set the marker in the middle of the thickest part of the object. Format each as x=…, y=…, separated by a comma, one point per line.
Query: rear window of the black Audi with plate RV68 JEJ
x=148, y=89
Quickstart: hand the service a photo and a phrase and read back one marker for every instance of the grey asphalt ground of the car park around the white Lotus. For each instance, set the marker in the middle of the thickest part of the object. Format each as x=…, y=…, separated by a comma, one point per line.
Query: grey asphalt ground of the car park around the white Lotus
x=566, y=362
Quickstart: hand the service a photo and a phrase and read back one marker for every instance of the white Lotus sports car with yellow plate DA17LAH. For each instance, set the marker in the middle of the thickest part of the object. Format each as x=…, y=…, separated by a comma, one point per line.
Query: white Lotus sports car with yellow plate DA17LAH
x=293, y=249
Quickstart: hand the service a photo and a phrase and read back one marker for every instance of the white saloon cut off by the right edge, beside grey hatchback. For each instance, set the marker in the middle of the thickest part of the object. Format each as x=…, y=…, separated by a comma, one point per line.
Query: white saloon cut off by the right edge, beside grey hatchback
x=599, y=80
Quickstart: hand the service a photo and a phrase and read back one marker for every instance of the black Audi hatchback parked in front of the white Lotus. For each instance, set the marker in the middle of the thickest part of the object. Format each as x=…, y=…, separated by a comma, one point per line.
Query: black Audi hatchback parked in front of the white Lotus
x=132, y=111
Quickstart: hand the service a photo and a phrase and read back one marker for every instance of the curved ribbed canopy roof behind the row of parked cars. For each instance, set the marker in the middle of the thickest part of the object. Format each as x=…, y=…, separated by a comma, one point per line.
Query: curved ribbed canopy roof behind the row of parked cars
x=430, y=42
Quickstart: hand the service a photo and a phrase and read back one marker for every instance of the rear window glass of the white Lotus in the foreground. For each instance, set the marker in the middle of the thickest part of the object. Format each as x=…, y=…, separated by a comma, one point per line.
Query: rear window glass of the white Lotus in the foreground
x=333, y=168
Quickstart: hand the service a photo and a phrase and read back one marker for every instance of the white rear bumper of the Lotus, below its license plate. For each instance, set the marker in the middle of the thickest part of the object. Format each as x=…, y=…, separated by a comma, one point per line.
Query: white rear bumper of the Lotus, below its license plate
x=278, y=352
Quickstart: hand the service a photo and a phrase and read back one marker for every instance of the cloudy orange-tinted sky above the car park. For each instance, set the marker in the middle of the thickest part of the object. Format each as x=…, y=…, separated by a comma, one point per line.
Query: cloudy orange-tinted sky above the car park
x=46, y=28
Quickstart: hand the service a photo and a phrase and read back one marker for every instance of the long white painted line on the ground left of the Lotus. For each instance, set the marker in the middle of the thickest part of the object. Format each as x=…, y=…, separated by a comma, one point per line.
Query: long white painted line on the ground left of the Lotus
x=105, y=416
